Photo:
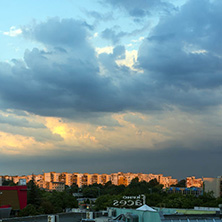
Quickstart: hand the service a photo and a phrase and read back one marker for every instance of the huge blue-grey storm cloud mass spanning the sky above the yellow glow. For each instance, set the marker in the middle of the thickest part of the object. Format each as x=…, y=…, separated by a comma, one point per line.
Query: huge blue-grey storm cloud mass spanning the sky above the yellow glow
x=181, y=59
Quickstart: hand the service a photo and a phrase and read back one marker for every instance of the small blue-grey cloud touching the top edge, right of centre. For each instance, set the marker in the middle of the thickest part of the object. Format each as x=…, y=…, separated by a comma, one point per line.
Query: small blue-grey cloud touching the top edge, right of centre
x=142, y=8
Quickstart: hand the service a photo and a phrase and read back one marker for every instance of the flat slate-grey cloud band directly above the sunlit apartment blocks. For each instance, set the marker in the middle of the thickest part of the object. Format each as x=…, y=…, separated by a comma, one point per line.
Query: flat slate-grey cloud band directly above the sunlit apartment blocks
x=177, y=162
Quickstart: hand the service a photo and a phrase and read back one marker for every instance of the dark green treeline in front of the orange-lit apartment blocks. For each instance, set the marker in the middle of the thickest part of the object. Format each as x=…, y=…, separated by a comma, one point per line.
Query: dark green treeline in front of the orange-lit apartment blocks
x=43, y=202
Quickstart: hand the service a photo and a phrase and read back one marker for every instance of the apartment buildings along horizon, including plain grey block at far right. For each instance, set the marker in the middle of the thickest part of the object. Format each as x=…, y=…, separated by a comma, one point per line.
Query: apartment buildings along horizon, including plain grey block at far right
x=57, y=181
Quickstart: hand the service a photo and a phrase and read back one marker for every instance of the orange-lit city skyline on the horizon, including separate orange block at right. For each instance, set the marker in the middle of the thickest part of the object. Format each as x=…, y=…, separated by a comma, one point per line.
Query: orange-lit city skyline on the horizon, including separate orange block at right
x=57, y=180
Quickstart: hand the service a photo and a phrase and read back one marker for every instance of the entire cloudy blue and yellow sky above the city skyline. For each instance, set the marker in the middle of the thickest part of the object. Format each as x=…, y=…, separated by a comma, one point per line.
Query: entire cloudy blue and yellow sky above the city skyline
x=102, y=86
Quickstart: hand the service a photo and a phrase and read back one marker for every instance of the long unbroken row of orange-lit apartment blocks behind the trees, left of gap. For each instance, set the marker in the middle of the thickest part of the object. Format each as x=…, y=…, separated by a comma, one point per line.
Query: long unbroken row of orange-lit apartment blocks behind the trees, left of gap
x=48, y=180
